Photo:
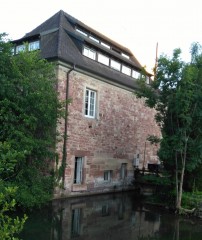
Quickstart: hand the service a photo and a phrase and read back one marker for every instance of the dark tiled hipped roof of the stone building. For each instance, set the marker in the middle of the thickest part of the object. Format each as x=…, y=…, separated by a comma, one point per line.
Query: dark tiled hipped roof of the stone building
x=59, y=40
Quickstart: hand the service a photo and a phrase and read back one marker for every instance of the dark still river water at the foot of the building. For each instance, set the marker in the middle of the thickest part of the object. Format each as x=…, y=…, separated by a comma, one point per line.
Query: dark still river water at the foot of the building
x=120, y=216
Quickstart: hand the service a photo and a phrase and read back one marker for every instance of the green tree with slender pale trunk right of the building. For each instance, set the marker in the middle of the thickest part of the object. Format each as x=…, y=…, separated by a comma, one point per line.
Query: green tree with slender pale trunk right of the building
x=176, y=95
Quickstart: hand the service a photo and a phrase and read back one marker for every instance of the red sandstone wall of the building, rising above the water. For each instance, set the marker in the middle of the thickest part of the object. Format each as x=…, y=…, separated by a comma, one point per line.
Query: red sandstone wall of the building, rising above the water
x=119, y=132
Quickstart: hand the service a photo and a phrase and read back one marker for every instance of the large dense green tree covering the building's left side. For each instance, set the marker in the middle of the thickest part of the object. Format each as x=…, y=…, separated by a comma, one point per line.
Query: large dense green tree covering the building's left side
x=29, y=110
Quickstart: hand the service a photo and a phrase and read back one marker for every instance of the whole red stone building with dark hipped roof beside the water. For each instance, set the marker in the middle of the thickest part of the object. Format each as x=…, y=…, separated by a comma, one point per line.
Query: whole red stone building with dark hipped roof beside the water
x=107, y=126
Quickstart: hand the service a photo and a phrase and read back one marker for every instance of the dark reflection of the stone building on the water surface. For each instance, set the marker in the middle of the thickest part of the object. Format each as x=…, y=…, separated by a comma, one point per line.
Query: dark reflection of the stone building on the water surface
x=104, y=217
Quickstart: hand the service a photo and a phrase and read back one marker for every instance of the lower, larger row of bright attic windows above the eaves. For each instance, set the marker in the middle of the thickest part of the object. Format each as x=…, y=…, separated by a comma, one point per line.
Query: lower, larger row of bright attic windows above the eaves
x=112, y=63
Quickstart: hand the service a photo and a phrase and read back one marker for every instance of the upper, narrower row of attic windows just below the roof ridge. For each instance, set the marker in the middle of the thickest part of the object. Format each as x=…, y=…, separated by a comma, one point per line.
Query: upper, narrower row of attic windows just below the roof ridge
x=97, y=40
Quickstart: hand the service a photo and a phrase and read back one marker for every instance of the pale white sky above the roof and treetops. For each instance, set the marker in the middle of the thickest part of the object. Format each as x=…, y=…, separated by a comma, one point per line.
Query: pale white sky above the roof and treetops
x=136, y=24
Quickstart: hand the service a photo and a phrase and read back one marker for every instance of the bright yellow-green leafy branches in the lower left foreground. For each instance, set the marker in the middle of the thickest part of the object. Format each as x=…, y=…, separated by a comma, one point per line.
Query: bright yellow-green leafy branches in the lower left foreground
x=10, y=226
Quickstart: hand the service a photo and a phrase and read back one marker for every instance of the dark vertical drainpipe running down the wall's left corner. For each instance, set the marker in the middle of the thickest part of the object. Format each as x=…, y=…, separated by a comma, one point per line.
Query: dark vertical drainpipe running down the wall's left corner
x=64, y=156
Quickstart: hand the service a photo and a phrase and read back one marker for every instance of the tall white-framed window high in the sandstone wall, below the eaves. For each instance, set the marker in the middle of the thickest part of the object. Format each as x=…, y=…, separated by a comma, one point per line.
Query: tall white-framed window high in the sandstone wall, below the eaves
x=90, y=103
